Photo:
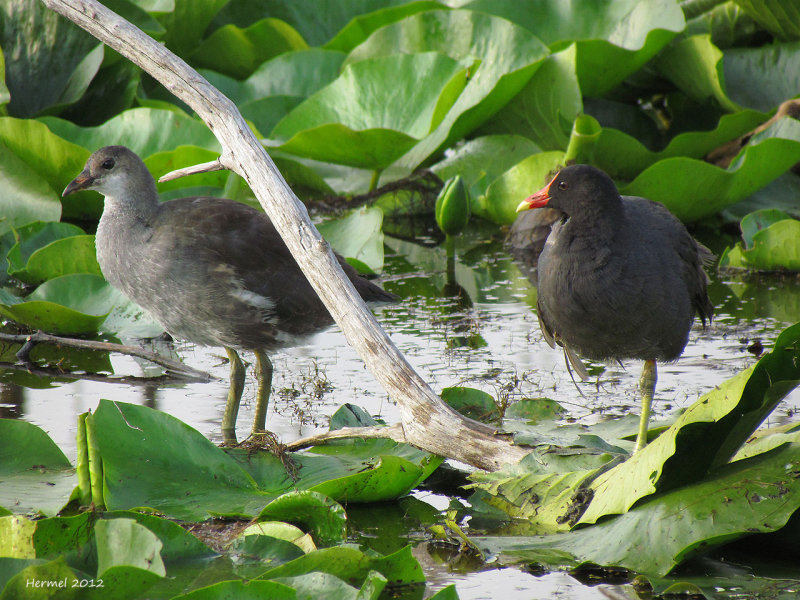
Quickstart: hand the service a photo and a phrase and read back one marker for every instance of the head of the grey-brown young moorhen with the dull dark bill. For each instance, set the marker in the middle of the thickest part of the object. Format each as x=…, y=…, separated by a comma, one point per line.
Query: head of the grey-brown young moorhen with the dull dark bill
x=116, y=172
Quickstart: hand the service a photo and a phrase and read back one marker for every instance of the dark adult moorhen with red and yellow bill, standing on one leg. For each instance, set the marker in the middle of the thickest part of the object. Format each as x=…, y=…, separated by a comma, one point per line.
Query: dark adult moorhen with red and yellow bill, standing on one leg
x=619, y=277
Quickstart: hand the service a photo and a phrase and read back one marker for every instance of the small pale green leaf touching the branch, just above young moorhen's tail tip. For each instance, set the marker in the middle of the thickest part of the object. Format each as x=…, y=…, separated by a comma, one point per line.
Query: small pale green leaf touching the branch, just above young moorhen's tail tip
x=357, y=235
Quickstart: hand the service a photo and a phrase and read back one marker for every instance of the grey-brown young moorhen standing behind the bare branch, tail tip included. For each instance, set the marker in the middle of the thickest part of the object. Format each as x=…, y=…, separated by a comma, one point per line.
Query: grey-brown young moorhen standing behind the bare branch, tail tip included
x=211, y=271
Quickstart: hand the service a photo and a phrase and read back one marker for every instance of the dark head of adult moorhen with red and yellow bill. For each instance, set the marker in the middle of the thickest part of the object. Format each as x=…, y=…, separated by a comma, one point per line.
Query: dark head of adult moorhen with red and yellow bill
x=578, y=189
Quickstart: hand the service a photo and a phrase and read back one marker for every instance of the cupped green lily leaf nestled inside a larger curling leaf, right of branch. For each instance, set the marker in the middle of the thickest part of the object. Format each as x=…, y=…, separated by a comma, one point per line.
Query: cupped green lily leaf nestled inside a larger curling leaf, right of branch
x=392, y=112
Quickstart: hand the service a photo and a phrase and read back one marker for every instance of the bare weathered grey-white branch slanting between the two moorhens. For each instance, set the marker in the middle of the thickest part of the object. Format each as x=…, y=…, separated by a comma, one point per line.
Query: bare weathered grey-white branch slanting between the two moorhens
x=427, y=422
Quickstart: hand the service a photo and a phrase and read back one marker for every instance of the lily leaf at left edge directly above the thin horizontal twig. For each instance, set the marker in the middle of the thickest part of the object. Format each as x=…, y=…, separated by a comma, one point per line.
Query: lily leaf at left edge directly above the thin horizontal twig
x=67, y=305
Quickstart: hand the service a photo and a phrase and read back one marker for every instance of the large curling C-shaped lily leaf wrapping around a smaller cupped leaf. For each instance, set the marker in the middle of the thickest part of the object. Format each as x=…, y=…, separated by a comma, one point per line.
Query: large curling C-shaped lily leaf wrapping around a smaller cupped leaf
x=508, y=55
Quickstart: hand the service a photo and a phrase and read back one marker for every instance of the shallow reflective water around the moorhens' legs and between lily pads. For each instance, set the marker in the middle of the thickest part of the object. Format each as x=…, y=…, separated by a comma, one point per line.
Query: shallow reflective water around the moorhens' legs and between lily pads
x=480, y=331
